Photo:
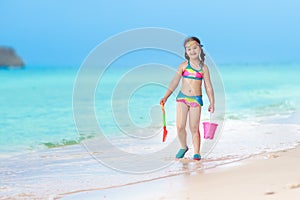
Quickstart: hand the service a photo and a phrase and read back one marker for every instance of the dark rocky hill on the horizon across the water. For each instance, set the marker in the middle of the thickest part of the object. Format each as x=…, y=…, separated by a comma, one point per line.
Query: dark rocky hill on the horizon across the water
x=9, y=58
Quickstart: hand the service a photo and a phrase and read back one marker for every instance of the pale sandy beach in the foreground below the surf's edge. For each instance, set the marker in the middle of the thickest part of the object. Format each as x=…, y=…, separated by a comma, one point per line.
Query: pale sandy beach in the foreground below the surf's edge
x=264, y=176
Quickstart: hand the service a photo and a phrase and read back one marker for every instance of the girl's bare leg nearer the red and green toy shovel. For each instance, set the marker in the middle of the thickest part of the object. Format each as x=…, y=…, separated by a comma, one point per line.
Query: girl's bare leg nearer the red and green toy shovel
x=182, y=111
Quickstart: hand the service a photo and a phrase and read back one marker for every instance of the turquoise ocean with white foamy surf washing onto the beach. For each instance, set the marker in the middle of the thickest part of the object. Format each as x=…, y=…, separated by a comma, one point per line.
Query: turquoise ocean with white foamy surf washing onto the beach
x=44, y=151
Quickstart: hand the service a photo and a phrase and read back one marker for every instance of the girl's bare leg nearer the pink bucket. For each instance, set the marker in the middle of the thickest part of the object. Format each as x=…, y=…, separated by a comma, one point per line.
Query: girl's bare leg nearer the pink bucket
x=194, y=121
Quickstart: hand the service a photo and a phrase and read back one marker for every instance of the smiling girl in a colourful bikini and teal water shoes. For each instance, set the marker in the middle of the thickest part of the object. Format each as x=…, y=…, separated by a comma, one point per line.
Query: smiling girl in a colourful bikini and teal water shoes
x=189, y=100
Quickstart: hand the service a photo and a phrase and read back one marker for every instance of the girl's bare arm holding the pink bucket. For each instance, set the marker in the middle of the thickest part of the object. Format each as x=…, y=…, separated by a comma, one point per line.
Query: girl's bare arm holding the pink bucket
x=209, y=89
